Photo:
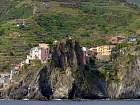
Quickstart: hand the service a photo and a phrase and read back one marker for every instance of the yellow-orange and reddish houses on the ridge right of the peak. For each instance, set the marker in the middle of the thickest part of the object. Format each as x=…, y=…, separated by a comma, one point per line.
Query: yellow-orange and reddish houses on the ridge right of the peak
x=103, y=52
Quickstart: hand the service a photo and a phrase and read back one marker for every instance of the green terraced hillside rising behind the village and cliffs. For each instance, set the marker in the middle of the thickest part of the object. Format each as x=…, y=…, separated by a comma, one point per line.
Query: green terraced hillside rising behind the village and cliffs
x=25, y=23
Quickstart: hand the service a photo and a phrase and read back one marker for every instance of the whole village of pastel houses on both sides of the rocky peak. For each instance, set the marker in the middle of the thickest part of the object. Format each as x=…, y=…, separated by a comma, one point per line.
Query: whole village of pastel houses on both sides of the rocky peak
x=42, y=52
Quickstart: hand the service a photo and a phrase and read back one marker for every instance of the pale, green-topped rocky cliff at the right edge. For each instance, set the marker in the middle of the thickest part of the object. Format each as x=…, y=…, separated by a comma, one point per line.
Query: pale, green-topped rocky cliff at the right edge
x=128, y=72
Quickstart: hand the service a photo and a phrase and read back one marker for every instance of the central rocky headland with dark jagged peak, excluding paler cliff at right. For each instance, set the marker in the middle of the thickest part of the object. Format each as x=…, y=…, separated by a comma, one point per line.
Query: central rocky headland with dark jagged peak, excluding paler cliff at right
x=65, y=76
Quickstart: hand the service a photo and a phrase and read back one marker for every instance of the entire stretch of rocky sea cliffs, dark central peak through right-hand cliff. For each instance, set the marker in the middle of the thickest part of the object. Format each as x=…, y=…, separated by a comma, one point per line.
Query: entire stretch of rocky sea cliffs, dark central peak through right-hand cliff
x=66, y=76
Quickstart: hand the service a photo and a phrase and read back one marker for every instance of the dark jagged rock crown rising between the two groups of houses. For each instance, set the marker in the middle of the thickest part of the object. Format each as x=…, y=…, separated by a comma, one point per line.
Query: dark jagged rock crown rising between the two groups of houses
x=64, y=54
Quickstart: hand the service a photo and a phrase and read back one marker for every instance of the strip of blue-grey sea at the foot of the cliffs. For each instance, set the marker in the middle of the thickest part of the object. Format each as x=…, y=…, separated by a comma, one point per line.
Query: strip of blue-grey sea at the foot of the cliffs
x=69, y=102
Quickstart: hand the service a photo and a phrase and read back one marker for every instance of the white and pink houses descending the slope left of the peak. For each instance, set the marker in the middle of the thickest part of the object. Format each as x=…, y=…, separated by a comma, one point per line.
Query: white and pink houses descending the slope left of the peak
x=40, y=52
